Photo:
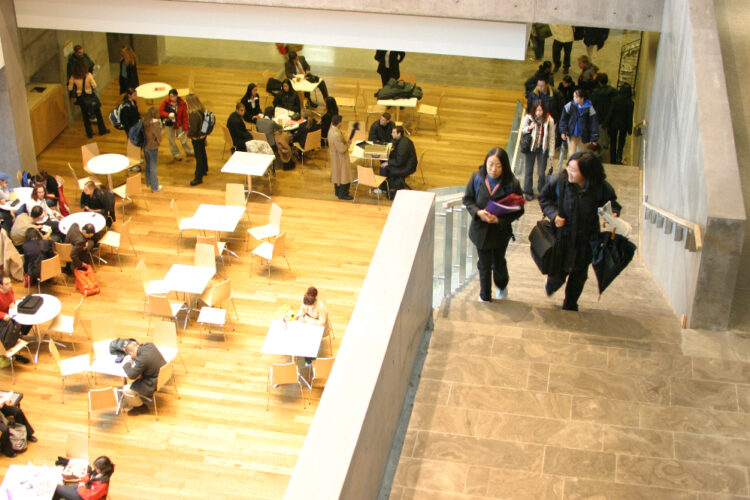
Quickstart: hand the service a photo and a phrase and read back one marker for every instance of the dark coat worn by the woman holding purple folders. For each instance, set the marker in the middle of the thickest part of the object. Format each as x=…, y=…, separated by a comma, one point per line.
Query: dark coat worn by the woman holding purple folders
x=484, y=235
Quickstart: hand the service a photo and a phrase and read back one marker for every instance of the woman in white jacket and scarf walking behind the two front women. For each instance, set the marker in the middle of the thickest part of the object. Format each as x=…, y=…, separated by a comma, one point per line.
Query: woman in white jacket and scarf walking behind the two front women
x=540, y=124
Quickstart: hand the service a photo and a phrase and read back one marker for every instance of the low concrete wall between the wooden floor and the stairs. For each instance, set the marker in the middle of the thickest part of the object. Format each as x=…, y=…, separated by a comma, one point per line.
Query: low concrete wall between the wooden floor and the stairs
x=349, y=440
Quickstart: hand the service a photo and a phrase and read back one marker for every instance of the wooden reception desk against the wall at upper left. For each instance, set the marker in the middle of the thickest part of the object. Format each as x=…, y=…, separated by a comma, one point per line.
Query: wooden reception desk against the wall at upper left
x=47, y=113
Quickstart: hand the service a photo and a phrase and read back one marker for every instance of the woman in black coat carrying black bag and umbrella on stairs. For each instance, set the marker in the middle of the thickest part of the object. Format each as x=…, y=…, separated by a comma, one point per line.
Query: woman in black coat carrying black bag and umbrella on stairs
x=570, y=200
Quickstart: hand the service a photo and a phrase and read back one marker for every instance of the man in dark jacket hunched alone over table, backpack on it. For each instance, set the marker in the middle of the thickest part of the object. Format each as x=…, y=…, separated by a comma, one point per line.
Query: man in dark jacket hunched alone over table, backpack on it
x=143, y=368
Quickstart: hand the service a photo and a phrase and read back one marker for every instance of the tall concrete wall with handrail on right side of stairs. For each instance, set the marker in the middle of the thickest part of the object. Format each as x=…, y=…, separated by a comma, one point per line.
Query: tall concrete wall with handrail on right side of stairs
x=691, y=167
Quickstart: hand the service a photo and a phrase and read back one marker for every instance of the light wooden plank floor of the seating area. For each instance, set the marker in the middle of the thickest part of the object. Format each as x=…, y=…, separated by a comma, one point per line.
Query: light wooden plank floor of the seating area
x=217, y=440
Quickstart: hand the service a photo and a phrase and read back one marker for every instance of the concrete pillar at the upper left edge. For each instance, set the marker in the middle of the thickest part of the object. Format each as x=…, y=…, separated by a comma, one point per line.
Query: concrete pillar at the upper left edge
x=16, y=140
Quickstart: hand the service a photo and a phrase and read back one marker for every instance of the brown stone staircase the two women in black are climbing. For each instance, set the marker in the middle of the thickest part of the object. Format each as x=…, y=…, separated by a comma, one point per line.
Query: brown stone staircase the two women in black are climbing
x=521, y=400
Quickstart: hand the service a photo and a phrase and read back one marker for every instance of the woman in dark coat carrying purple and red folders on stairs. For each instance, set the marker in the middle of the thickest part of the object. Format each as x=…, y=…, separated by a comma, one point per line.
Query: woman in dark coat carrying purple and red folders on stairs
x=493, y=181
